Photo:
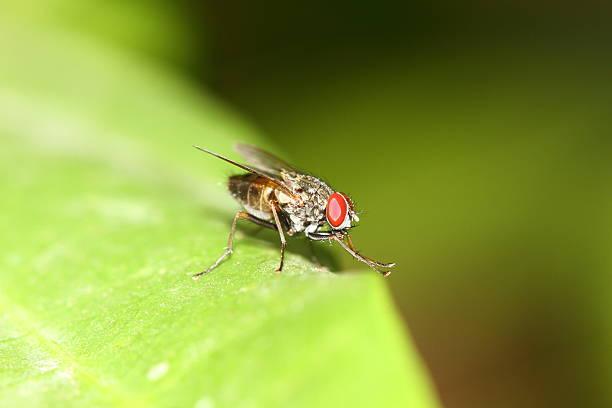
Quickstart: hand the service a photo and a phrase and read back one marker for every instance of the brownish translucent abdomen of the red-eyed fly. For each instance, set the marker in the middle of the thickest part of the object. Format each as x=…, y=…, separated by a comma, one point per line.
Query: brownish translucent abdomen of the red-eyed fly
x=252, y=192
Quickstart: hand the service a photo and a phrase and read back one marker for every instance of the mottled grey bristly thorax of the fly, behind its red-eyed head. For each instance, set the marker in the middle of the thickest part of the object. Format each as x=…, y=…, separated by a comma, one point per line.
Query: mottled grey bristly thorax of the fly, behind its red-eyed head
x=309, y=212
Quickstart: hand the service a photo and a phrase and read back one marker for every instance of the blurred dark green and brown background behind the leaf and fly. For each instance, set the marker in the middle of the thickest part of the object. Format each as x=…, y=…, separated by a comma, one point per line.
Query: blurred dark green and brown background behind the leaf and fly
x=474, y=136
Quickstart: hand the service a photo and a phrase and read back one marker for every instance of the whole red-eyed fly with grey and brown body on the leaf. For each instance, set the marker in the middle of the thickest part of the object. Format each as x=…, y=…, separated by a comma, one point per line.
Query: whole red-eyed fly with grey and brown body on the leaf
x=277, y=196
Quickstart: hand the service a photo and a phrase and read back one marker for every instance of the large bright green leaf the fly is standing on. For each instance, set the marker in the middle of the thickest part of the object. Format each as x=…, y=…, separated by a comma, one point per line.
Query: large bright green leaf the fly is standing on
x=107, y=211
